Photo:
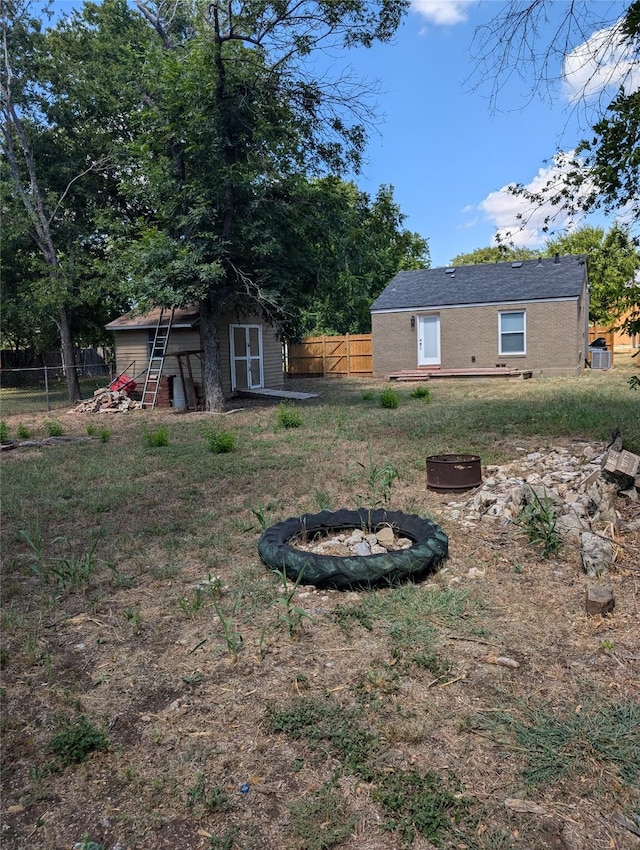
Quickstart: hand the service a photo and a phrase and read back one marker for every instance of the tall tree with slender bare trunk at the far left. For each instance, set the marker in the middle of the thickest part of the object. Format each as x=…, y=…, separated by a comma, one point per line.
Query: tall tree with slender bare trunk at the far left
x=59, y=142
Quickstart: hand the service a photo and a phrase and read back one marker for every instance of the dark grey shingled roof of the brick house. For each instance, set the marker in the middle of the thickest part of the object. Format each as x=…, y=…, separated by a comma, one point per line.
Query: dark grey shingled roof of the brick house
x=485, y=283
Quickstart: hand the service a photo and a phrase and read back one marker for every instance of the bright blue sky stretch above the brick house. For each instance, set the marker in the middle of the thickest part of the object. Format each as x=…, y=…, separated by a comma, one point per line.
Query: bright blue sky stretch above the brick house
x=443, y=146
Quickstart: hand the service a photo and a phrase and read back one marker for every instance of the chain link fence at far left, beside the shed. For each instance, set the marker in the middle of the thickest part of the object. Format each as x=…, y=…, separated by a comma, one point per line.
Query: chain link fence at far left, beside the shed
x=44, y=388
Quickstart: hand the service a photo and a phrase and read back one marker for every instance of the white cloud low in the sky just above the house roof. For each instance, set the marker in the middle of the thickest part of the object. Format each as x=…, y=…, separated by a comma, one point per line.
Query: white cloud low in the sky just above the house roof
x=522, y=221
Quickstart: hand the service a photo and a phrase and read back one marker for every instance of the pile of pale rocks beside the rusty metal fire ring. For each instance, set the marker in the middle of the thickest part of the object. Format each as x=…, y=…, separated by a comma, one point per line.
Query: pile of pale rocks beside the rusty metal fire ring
x=575, y=486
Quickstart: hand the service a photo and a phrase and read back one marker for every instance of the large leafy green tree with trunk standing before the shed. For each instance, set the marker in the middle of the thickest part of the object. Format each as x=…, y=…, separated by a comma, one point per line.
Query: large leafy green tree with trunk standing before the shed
x=235, y=124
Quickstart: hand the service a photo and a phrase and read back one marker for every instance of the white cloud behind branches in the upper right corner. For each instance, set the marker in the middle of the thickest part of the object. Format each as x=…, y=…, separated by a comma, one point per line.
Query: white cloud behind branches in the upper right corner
x=604, y=60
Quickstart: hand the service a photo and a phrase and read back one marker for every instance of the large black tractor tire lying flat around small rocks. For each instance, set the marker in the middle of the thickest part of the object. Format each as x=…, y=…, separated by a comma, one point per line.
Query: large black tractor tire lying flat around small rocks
x=429, y=549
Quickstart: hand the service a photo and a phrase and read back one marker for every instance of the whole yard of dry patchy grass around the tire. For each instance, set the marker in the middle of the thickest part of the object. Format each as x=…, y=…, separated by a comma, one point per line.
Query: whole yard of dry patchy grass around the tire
x=378, y=686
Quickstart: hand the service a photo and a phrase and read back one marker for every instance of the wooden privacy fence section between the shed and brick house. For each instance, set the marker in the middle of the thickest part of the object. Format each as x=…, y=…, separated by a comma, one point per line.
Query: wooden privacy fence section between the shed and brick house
x=329, y=356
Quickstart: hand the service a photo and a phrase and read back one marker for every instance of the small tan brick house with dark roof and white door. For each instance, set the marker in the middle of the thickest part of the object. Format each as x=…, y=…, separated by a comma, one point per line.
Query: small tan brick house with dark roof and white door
x=530, y=315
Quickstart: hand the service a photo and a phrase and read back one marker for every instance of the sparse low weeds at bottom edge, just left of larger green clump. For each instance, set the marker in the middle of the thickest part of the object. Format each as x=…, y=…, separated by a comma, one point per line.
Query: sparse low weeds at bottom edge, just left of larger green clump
x=319, y=820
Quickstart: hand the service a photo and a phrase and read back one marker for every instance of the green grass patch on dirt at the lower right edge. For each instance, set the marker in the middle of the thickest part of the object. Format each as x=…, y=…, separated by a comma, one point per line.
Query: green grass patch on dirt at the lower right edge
x=589, y=740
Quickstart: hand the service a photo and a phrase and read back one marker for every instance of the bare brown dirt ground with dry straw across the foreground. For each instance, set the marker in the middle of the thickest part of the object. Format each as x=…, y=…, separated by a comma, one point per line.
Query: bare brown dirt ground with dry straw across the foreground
x=180, y=709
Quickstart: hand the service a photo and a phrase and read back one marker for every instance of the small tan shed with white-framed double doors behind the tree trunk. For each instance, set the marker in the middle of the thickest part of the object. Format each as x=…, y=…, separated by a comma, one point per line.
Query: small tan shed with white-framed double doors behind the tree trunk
x=251, y=352
